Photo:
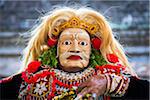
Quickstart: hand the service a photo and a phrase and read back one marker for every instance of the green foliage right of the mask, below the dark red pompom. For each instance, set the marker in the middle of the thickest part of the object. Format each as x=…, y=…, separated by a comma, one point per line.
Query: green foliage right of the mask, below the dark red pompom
x=96, y=58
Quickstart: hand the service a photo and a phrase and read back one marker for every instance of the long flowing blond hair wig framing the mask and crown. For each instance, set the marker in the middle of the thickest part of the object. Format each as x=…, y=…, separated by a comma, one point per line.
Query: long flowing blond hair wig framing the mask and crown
x=43, y=31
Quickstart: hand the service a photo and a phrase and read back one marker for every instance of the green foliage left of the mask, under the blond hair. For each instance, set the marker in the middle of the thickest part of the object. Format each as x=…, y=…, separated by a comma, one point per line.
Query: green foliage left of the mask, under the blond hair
x=49, y=57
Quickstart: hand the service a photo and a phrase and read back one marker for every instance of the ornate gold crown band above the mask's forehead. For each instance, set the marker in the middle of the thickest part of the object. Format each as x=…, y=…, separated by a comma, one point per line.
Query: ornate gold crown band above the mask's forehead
x=75, y=23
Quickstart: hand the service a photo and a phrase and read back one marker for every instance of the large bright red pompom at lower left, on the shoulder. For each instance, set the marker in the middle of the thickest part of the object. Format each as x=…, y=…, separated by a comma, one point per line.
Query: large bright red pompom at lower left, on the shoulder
x=33, y=66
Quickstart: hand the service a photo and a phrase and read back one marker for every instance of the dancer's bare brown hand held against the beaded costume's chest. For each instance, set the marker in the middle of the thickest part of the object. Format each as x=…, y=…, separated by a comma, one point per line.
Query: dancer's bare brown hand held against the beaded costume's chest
x=95, y=86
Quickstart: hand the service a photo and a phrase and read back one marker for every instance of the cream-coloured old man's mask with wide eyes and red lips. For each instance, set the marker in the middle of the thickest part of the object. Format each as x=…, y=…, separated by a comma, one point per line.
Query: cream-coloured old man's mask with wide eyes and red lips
x=74, y=49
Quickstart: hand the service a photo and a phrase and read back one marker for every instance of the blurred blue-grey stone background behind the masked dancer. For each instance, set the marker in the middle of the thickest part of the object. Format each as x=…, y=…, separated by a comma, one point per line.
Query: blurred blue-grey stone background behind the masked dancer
x=128, y=19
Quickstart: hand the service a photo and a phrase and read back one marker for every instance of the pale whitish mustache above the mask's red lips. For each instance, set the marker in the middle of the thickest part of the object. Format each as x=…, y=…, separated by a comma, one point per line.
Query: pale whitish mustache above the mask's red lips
x=68, y=54
